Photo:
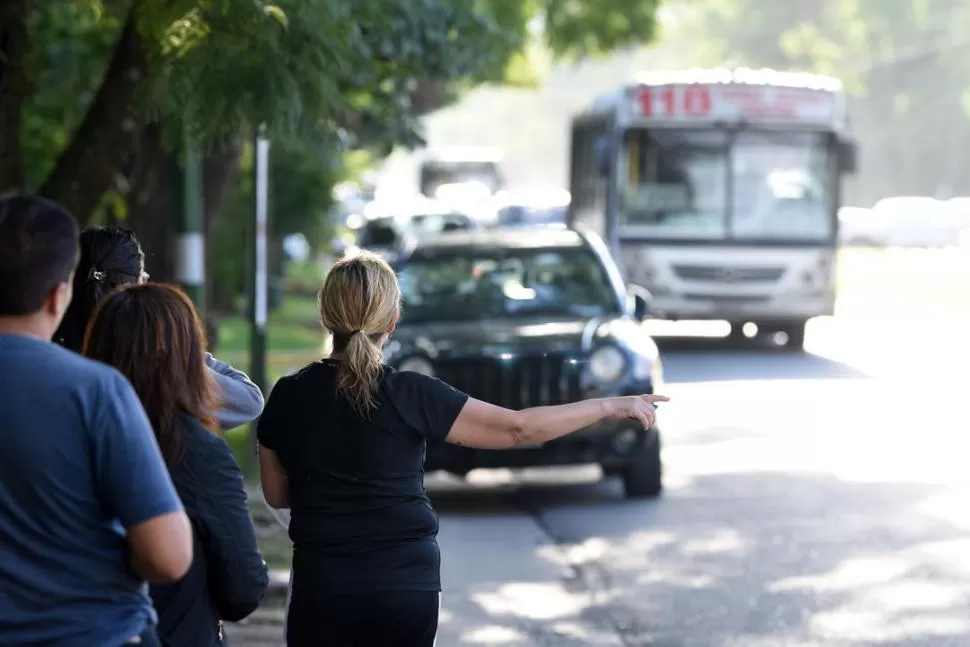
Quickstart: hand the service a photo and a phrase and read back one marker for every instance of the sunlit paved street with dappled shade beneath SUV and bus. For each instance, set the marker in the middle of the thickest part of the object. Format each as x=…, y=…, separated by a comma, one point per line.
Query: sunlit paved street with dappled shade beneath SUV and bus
x=815, y=499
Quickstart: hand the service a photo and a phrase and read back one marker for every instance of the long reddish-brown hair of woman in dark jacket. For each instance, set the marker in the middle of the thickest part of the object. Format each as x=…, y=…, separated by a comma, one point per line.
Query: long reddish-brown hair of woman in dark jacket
x=153, y=335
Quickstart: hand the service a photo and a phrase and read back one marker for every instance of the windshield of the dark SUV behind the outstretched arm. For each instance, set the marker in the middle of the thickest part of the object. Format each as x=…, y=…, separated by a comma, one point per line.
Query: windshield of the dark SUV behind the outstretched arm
x=471, y=284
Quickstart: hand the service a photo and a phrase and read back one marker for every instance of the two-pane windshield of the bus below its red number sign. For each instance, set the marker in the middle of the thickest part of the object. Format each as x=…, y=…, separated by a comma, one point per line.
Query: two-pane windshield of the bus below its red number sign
x=712, y=184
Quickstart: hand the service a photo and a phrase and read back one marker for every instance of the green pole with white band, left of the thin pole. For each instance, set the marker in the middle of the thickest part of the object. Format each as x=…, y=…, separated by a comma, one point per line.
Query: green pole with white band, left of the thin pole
x=190, y=241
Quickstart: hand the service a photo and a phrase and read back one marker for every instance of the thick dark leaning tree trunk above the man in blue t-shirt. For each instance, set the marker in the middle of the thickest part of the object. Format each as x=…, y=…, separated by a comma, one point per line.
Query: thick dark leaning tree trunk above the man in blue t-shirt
x=106, y=141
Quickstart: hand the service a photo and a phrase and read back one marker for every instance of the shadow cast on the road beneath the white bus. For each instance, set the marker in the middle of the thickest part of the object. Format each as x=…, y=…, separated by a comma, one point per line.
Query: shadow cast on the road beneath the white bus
x=707, y=359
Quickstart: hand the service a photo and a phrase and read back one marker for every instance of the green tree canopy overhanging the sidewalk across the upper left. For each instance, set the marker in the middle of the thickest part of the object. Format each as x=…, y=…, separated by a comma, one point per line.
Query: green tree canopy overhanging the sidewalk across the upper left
x=325, y=78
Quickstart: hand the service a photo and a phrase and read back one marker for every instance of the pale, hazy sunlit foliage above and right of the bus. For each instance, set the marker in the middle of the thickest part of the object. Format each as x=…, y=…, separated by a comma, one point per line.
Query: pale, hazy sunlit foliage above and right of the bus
x=892, y=55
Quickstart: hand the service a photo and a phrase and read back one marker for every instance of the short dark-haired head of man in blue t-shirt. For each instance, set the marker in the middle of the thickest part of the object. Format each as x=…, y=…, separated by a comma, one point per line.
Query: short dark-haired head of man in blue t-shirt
x=38, y=253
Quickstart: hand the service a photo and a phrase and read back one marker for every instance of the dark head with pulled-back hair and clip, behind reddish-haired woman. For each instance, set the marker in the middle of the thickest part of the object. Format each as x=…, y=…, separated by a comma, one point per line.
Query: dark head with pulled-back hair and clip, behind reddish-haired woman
x=110, y=257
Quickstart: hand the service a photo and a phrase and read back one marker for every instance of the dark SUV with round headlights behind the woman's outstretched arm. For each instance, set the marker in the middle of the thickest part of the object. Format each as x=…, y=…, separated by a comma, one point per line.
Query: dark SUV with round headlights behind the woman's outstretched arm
x=521, y=320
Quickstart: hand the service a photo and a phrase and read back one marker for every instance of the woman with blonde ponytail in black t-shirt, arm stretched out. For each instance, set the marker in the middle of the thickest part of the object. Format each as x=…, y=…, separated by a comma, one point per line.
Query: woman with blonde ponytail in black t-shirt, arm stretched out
x=342, y=444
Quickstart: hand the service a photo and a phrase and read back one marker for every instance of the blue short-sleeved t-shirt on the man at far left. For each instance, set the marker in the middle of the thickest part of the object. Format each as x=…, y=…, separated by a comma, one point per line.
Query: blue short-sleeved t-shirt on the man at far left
x=78, y=464
